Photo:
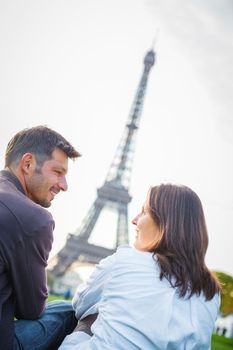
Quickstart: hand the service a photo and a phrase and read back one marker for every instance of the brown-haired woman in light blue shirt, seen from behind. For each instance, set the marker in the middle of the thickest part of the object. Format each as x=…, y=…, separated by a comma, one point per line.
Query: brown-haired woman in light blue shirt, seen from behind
x=159, y=294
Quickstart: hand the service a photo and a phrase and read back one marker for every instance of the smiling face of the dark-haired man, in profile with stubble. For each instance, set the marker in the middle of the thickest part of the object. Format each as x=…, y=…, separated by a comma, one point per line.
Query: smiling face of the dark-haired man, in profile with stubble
x=43, y=185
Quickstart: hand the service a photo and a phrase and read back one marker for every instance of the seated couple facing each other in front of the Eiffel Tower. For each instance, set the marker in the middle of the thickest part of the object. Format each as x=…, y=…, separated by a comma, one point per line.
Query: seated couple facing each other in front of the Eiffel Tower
x=157, y=295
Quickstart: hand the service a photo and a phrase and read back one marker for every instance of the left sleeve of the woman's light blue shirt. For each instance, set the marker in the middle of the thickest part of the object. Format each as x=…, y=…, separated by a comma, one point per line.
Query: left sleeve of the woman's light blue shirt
x=88, y=295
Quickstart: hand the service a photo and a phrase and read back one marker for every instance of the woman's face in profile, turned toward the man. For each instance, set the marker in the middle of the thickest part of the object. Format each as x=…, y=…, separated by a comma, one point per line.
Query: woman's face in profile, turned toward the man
x=147, y=232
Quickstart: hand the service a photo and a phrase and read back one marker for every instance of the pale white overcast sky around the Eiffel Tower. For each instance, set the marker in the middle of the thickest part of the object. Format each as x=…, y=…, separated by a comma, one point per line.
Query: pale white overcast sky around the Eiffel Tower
x=75, y=65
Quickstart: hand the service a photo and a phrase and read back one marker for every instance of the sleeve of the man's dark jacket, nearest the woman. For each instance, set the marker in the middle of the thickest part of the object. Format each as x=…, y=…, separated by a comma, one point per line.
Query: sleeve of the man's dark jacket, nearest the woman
x=28, y=272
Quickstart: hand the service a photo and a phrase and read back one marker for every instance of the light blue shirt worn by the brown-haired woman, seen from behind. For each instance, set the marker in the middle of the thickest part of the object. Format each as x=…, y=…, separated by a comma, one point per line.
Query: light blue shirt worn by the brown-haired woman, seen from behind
x=137, y=310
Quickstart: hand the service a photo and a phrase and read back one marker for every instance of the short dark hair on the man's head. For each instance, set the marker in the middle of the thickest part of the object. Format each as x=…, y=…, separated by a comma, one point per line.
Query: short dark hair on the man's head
x=39, y=140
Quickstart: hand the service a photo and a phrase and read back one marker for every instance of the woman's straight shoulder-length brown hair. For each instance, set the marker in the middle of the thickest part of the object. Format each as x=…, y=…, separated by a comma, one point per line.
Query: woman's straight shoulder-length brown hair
x=178, y=212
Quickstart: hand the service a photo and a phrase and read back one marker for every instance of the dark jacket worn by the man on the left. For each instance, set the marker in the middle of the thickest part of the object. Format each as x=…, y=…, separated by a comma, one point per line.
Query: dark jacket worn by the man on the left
x=26, y=235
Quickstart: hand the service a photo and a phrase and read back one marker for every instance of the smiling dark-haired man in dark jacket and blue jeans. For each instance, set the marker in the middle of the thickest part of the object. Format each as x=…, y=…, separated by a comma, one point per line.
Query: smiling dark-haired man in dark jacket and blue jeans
x=36, y=164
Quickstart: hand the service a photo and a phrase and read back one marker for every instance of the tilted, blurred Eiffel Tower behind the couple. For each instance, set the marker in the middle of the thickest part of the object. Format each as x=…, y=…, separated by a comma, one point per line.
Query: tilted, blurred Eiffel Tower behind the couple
x=113, y=194
